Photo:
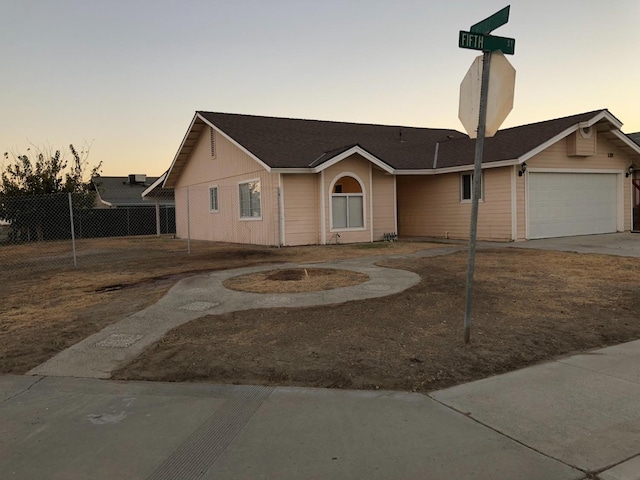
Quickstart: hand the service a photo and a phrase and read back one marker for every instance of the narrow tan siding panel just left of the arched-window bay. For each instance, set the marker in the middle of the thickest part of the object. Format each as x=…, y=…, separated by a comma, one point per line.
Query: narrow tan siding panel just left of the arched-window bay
x=301, y=208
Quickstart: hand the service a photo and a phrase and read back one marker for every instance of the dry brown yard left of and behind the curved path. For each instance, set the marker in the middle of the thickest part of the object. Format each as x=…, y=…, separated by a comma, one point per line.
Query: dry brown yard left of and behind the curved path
x=47, y=305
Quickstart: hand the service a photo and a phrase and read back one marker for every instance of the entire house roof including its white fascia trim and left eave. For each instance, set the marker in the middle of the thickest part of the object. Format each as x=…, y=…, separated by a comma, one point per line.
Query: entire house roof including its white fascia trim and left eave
x=296, y=145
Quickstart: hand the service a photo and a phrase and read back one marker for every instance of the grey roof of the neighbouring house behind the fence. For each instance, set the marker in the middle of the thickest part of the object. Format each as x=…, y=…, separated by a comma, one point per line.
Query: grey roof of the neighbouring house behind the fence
x=123, y=191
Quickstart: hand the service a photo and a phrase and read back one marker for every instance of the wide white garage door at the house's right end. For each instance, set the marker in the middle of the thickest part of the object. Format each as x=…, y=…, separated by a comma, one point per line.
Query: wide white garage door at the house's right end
x=566, y=204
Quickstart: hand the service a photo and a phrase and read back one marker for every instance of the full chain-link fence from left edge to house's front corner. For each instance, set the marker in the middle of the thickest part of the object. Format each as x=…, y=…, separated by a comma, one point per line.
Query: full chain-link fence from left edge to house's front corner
x=44, y=232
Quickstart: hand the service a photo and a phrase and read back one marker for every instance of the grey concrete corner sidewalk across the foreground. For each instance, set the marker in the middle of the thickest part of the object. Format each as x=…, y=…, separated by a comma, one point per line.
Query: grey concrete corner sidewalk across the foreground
x=555, y=421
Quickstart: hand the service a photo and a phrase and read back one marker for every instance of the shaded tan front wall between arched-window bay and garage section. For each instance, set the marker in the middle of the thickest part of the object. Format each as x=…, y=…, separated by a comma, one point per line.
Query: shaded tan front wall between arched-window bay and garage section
x=430, y=206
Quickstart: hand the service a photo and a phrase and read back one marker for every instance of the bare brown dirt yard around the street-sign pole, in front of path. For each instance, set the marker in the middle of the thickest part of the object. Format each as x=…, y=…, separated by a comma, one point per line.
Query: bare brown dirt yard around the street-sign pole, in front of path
x=529, y=306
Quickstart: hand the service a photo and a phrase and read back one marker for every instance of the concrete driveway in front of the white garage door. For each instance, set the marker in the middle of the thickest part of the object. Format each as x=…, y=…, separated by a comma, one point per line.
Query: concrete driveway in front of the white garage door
x=621, y=244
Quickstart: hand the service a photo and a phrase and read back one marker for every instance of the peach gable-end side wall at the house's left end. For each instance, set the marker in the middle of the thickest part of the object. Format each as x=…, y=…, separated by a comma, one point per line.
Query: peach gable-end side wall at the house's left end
x=230, y=167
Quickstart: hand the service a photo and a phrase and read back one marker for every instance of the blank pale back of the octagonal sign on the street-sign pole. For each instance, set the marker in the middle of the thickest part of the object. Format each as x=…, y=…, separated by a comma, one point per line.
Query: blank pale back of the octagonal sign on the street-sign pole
x=502, y=81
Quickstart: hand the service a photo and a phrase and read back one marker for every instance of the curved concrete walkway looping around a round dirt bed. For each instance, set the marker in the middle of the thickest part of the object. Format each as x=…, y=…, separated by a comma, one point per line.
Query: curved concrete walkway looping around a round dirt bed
x=194, y=297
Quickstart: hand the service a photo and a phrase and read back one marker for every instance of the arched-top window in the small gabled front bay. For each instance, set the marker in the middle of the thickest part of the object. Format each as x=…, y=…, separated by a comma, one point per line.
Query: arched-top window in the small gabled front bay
x=347, y=204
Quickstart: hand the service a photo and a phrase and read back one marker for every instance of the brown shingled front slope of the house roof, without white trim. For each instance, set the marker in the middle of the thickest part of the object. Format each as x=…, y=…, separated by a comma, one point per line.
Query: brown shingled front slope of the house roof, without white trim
x=296, y=143
